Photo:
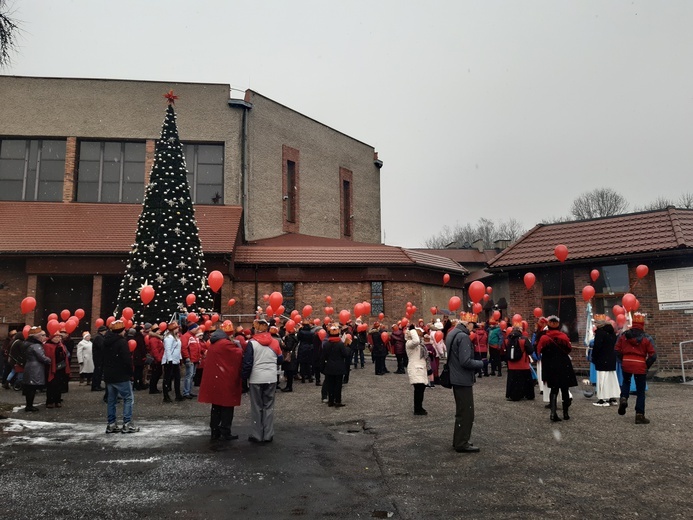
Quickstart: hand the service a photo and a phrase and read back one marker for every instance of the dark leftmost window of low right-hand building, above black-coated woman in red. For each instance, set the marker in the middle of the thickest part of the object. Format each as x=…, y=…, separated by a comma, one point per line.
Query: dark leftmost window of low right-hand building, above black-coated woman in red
x=558, y=298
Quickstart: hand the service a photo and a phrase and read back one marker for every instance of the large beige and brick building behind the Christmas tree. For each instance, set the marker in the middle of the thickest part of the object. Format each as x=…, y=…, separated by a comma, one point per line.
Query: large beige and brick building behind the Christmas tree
x=283, y=202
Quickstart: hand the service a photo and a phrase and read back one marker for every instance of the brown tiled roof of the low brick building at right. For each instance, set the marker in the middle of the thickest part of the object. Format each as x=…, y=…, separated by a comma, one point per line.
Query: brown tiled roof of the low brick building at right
x=633, y=233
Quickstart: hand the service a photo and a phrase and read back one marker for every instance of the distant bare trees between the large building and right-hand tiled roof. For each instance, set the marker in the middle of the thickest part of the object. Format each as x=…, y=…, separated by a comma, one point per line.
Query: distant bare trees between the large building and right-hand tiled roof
x=485, y=229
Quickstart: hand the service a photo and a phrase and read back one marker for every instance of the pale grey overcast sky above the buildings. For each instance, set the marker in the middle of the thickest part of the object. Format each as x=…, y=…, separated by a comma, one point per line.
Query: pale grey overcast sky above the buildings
x=492, y=109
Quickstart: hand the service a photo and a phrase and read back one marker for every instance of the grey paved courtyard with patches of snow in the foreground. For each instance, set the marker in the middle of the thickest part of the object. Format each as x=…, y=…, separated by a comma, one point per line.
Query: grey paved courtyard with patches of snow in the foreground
x=371, y=459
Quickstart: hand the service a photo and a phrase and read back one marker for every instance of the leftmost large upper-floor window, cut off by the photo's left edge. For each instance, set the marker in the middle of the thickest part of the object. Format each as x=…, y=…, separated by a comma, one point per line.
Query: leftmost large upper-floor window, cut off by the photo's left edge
x=32, y=169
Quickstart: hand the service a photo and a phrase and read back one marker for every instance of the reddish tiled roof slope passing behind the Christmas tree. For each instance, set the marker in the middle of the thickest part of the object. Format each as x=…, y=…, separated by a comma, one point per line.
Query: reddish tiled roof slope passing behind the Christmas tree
x=55, y=227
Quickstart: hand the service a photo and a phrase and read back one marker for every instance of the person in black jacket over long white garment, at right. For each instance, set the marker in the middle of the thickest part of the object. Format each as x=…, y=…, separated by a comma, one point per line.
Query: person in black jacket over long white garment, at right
x=604, y=360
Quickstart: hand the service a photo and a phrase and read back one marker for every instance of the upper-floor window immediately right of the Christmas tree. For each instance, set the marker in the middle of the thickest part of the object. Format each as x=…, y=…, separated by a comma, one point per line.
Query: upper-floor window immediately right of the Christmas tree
x=205, y=163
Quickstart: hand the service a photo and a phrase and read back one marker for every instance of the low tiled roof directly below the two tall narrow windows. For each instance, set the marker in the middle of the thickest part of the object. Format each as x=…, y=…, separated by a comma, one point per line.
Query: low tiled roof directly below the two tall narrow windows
x=298, y=249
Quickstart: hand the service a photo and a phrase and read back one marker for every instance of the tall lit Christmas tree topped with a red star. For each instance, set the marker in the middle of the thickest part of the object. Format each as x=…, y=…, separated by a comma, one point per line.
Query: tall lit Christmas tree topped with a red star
x=167, y=253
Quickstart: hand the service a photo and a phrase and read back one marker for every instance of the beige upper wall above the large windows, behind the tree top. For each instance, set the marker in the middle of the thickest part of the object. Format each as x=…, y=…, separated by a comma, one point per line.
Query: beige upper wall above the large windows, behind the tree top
x=121, y=109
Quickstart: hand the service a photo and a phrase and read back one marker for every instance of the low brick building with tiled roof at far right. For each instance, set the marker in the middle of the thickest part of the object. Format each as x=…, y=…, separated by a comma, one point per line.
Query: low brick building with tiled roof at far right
x=662, y=240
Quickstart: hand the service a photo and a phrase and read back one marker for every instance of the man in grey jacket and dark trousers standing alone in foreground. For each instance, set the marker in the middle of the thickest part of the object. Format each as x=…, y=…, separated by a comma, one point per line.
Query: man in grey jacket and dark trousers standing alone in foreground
x=462, y=368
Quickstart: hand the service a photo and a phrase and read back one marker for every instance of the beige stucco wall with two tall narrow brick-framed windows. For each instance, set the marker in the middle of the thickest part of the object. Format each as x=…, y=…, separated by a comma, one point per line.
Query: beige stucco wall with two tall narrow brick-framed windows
x=323, y=151
